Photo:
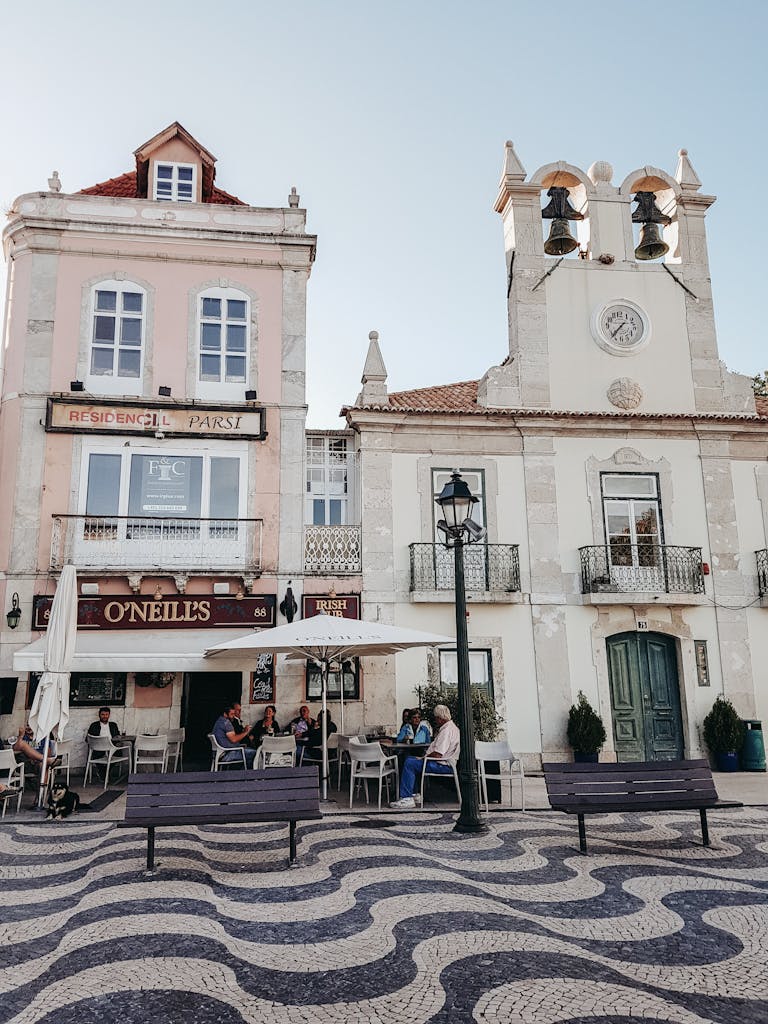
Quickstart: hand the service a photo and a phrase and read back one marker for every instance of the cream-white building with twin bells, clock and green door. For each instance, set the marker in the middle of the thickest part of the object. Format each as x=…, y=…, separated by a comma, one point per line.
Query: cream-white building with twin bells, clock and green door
x=622, y=472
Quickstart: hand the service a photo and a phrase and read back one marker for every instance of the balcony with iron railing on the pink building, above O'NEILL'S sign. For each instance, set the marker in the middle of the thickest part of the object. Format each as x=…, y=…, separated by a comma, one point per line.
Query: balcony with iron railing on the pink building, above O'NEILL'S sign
x=143, y=543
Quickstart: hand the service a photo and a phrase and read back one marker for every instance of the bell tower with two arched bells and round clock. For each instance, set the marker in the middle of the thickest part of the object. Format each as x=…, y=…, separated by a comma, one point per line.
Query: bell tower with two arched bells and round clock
x=610, y=303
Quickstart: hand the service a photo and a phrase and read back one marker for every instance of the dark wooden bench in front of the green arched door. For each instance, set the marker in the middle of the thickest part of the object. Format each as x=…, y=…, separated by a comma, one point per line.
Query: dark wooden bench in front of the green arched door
x=636, y=786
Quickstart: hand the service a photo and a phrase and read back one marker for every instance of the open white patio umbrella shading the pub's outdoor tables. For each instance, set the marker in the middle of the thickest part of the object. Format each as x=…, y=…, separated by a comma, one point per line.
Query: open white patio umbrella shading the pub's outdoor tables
x=325, y=638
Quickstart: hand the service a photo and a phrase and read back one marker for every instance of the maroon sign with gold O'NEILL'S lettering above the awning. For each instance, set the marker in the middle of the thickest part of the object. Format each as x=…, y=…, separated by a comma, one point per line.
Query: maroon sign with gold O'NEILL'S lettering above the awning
x=180, y=612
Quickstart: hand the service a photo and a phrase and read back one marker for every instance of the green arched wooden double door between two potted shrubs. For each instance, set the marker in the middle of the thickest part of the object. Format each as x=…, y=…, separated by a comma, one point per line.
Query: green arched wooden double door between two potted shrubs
x=646, y=697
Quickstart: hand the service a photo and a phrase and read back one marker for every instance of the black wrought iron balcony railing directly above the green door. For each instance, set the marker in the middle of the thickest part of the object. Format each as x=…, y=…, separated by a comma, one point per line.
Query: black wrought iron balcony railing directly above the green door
x=626, y=569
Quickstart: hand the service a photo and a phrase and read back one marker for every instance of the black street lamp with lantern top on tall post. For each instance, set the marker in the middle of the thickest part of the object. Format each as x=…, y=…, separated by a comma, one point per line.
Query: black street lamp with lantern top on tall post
x=456, y=501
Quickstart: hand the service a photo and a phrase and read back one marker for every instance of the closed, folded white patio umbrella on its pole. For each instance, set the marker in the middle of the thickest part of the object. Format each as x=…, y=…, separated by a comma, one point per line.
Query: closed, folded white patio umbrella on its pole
x=51, y=709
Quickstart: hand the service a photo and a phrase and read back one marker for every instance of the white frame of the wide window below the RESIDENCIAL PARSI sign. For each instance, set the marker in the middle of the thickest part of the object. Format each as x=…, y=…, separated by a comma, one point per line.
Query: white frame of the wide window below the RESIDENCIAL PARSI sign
x=232, y=450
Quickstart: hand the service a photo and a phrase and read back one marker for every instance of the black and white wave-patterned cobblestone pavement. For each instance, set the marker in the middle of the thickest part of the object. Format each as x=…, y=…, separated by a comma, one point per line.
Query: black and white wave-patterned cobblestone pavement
x=389, y=920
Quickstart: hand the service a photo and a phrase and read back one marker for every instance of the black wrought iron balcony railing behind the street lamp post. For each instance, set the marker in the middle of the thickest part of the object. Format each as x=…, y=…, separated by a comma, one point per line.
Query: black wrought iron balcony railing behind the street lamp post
x=487, y=568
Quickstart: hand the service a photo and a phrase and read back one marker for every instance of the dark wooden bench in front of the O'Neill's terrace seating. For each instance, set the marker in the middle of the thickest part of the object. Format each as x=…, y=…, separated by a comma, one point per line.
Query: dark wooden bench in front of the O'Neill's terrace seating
x=206, y=798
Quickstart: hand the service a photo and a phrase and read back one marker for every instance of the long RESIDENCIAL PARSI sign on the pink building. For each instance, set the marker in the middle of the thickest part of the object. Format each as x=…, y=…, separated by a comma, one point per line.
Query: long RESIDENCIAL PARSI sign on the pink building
x=75, y=416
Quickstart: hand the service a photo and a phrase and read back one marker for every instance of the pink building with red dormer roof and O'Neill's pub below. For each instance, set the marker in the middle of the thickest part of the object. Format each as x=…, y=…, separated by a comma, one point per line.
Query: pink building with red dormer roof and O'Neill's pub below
x=152, y=434
